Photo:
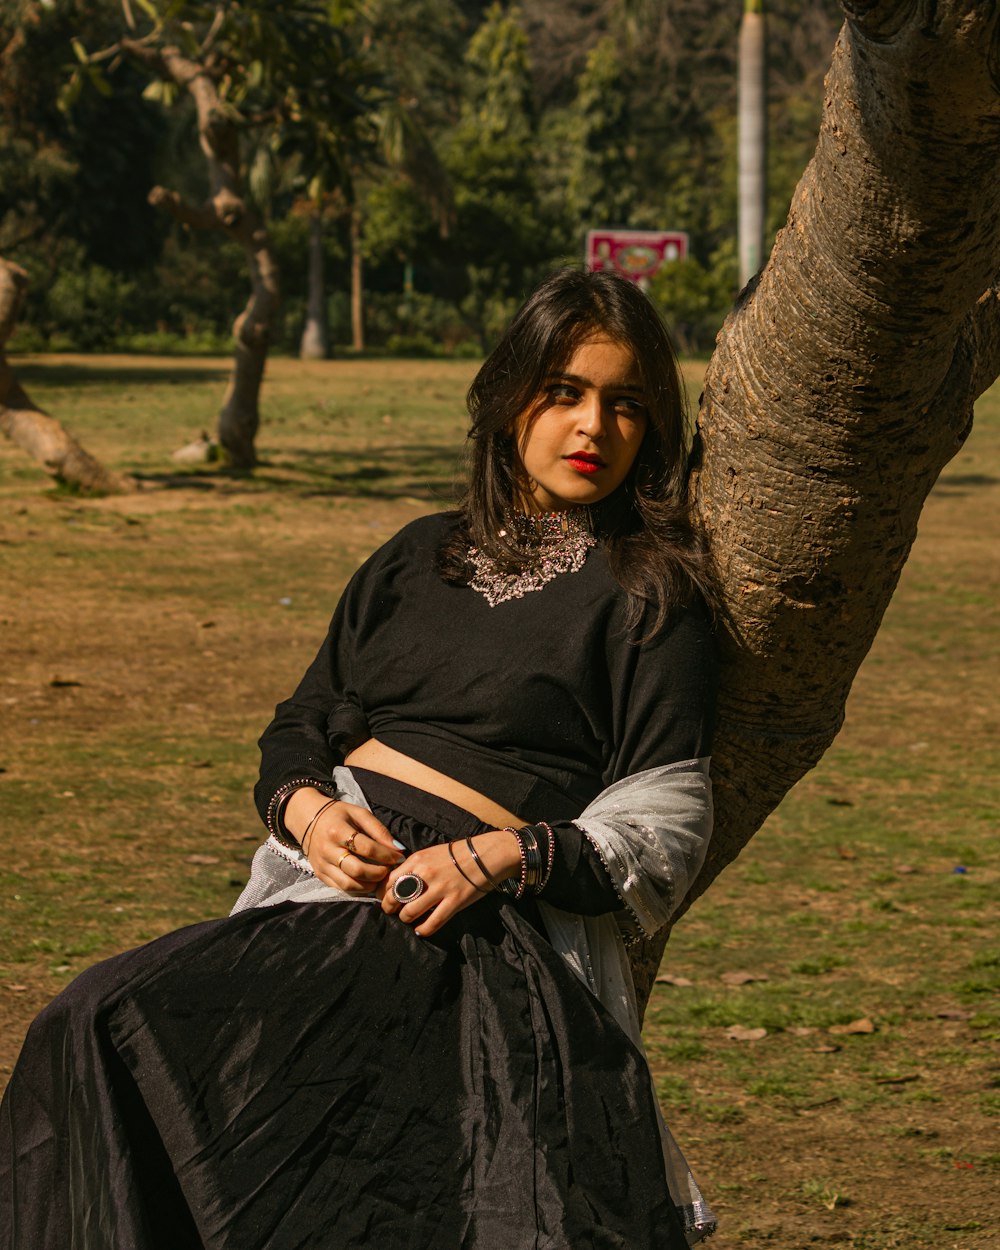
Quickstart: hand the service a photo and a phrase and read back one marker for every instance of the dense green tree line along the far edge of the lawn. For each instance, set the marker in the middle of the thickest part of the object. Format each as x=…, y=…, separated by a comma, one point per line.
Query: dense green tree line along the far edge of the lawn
x=454, y=149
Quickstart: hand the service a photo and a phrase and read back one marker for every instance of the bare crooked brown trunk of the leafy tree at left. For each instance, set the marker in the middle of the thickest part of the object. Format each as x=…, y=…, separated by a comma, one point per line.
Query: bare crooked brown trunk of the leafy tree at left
x=226, y=209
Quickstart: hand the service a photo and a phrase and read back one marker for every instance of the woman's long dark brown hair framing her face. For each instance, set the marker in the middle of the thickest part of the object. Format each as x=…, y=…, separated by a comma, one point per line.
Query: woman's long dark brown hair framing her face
x=646, y=527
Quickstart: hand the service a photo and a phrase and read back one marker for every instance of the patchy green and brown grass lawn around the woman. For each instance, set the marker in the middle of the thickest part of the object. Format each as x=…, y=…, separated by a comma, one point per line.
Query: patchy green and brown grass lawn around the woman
x=828, y=1049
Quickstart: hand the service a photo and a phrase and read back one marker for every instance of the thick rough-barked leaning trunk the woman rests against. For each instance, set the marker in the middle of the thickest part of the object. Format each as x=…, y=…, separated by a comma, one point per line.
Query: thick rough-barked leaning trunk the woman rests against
x=843, y=383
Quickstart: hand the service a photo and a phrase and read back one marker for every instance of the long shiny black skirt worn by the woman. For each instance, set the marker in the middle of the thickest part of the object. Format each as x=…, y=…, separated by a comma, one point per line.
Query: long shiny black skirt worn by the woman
x=314, y=1077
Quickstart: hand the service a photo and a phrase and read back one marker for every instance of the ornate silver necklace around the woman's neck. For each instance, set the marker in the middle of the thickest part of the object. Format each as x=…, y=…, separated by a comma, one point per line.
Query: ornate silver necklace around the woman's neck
x=551, y=543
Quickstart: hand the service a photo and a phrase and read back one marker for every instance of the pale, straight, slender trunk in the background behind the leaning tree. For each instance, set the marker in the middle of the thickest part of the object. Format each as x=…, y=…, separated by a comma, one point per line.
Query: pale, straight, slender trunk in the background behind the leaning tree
x=753, y=142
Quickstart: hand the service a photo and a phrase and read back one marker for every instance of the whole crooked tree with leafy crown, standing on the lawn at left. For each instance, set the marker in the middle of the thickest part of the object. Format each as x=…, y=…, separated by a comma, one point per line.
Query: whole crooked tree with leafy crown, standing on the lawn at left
x=247, y=66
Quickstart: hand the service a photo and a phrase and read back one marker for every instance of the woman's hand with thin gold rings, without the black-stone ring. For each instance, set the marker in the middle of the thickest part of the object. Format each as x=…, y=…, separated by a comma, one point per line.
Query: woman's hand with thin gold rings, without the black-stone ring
x=348, y=847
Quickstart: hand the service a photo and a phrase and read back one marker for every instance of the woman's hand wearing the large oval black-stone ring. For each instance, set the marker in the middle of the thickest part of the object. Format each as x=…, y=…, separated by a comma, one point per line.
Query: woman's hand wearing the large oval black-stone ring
x=447, y=892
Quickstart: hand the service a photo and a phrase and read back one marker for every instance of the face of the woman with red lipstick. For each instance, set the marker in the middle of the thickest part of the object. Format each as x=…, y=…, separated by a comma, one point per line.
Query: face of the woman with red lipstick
x=584, y=441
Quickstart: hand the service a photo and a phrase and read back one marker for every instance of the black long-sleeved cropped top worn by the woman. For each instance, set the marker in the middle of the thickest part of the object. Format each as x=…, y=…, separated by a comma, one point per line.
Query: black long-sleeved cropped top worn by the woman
x=539, y=703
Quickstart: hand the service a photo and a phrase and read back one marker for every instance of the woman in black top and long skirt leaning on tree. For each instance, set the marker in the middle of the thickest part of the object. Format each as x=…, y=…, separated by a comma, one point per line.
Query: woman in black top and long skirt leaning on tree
x=419, y=1026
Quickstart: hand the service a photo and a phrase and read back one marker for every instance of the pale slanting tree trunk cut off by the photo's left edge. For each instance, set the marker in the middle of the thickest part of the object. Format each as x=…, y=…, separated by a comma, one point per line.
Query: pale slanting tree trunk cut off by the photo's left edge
x=32, y=429
